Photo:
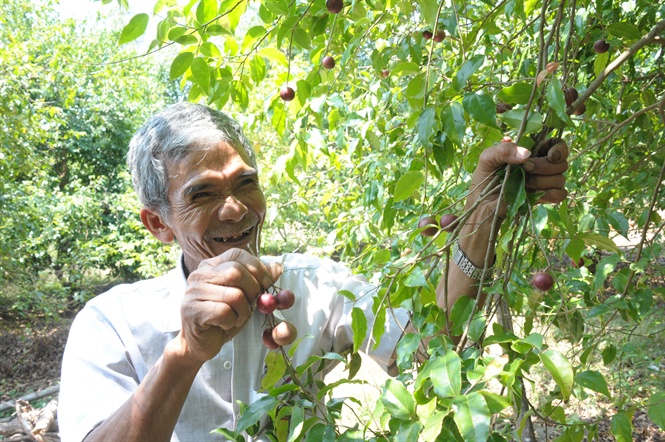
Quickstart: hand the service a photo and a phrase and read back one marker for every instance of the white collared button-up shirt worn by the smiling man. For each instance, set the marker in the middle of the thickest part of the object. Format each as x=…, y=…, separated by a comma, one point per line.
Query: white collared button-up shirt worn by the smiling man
x=119, y=335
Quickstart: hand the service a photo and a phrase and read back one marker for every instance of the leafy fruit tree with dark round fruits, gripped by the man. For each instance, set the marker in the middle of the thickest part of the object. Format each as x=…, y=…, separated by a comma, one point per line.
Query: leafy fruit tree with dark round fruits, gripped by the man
x=391, y=132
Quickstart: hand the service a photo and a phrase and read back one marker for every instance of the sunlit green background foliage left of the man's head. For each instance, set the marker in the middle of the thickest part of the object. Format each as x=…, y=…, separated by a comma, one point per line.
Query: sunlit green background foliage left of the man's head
x=67, y=210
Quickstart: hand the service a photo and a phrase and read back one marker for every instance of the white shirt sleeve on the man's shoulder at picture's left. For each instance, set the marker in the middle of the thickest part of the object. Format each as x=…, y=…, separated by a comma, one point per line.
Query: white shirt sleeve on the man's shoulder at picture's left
x=98, y=375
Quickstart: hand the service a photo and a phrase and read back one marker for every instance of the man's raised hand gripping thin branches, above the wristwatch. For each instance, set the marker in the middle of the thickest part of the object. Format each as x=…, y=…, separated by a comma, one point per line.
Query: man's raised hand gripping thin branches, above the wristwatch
x=544, y=171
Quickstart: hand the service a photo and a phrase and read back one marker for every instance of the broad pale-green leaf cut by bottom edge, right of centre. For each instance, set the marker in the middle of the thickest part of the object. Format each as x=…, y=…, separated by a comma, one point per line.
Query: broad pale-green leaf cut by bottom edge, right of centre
x=472, y=417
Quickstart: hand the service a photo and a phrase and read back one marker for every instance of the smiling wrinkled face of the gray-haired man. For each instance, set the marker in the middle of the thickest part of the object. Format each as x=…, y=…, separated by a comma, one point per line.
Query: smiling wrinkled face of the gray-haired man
x=216, y=204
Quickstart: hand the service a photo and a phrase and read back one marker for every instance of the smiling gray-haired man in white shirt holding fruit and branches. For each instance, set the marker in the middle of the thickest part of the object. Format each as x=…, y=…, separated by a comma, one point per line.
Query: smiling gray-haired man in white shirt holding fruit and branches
x=167, y=358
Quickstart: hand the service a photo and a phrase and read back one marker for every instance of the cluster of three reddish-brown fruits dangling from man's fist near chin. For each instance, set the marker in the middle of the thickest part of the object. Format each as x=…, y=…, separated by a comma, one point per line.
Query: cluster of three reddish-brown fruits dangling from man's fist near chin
x=282, y=333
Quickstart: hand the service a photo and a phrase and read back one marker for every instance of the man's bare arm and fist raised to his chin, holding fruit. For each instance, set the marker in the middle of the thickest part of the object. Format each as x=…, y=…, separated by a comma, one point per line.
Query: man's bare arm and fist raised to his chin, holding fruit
x=220, y=298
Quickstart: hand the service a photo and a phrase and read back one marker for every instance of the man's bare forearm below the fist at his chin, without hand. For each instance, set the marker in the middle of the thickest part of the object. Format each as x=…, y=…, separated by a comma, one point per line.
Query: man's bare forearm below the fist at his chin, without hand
x=153, y=409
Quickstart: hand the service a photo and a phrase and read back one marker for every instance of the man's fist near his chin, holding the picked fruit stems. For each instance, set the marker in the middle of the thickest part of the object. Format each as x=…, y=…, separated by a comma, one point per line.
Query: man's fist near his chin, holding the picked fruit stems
x=221, y=296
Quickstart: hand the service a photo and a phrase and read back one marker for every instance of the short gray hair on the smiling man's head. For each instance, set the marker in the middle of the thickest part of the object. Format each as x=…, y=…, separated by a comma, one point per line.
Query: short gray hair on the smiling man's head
x=172, y=135
